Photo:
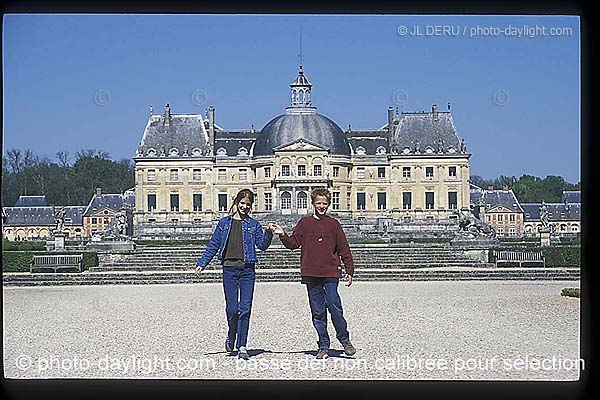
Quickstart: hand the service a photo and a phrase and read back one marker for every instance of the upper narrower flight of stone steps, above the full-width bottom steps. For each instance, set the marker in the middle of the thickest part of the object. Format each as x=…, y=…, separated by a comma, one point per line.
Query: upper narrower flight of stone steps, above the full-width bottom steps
x=184, y=258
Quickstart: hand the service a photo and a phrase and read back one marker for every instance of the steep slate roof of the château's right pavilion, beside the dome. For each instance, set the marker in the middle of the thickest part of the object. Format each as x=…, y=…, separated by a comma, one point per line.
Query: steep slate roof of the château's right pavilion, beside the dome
x=428, y=132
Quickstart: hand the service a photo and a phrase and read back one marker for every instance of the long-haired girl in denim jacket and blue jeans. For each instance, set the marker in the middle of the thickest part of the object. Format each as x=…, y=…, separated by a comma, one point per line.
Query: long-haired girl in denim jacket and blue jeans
x=234, y=241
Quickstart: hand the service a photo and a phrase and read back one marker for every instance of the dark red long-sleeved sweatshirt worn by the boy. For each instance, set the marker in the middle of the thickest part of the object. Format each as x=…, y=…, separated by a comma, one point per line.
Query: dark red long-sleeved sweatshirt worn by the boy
x=323, y=242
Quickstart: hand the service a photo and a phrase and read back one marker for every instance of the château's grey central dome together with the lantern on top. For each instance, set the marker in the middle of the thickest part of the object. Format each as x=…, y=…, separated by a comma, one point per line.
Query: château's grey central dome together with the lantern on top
x=301, y=121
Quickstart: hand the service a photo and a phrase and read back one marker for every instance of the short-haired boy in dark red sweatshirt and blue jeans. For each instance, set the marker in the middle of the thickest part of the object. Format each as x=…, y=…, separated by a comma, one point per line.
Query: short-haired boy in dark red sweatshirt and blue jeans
x=323, y=242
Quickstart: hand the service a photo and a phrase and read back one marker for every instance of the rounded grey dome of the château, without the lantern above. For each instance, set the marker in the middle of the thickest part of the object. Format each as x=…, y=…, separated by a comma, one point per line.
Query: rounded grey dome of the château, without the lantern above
x=291, y=126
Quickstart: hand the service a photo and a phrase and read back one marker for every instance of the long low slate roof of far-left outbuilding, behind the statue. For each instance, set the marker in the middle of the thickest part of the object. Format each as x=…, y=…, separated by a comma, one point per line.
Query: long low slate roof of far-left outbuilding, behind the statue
x=41, y=216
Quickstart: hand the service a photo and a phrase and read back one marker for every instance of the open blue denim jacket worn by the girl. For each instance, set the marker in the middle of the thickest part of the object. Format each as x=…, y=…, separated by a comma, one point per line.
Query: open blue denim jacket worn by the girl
x=253, y=235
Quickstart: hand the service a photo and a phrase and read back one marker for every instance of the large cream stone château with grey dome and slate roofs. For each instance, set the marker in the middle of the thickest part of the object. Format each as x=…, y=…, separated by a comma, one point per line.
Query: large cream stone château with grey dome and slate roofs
x=189, y=168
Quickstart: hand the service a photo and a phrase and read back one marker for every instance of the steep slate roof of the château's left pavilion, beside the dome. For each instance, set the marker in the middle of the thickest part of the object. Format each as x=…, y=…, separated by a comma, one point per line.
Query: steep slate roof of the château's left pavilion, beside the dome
x=173, y=135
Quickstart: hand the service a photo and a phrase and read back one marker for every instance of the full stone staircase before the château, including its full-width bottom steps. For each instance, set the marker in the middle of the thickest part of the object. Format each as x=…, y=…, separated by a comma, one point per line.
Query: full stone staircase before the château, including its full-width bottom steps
x=398, y=262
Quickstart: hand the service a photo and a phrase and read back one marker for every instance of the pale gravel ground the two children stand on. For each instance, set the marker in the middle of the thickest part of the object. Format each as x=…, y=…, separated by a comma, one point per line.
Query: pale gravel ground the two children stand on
x=474, y=330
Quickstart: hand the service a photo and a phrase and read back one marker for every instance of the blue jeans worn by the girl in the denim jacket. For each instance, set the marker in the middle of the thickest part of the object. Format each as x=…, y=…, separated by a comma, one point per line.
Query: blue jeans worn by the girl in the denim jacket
x=238, y=285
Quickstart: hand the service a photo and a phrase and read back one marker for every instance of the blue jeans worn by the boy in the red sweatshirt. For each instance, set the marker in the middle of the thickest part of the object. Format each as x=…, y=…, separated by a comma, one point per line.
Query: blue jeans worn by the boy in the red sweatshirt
x=323, y=297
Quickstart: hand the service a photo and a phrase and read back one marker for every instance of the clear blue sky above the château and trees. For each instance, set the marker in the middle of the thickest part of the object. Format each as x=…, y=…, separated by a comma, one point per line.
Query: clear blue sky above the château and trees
x=76, y=82
